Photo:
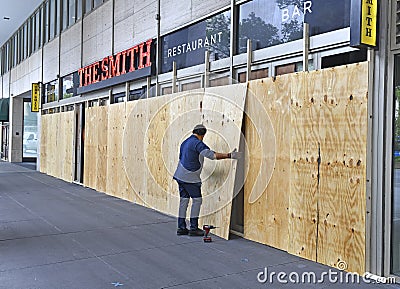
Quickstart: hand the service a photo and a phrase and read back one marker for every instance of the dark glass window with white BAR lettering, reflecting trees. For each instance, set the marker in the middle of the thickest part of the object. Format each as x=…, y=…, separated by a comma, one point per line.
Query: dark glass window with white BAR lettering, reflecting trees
x=269, y=23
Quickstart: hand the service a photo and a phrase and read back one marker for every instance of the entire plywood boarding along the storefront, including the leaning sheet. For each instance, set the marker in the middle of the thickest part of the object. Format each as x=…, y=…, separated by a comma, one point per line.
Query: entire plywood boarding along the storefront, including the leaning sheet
x=305, y=171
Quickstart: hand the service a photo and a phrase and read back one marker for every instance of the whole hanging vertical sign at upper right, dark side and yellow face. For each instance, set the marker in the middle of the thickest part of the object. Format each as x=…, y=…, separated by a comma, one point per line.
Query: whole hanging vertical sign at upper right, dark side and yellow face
x=364, y=23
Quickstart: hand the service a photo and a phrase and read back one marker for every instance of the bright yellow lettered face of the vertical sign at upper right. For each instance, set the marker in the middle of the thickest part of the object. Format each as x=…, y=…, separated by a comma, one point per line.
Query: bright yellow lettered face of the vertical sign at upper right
x=369, y=13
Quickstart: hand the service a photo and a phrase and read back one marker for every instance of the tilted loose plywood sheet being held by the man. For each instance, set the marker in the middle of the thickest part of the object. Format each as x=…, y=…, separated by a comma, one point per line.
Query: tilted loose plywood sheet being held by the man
x=223, y=109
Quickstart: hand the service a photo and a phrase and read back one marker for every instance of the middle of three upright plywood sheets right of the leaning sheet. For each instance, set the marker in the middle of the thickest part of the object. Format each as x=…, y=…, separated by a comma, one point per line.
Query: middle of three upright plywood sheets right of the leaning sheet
x=304, y=151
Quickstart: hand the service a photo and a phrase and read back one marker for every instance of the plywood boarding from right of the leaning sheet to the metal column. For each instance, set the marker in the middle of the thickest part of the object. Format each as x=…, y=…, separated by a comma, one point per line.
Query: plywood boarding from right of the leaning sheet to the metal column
x=314, y=204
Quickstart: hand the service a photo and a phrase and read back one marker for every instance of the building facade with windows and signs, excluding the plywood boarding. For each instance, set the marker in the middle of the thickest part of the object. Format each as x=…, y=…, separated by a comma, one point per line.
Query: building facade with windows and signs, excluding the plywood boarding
x=93, y=53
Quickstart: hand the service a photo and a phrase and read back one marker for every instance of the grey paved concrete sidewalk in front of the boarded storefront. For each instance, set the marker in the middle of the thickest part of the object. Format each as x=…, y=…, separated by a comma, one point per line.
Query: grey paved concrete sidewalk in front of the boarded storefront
x=59, y=235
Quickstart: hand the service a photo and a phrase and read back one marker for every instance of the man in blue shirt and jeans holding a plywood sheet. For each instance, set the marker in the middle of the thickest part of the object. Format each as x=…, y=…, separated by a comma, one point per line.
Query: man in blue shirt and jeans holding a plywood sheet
x=191, y=158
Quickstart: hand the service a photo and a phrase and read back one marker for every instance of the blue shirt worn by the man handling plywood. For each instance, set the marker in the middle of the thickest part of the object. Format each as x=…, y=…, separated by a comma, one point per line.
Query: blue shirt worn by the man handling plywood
x=191, y=158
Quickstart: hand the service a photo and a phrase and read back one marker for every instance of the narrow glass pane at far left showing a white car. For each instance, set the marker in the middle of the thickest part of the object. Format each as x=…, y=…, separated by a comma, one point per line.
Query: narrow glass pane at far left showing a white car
x=30, y=139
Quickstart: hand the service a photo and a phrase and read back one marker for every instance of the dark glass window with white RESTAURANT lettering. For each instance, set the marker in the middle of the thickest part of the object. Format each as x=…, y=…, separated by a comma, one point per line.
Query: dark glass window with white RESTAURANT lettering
x=187, y=46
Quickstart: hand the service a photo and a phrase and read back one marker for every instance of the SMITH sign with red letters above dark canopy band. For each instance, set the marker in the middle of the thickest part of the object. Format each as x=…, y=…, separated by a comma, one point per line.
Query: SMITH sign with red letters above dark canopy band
x=130, y=64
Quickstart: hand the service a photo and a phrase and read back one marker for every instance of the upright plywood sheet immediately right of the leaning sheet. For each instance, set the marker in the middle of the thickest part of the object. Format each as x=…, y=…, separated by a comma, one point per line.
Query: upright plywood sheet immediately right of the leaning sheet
x=267, y=188
